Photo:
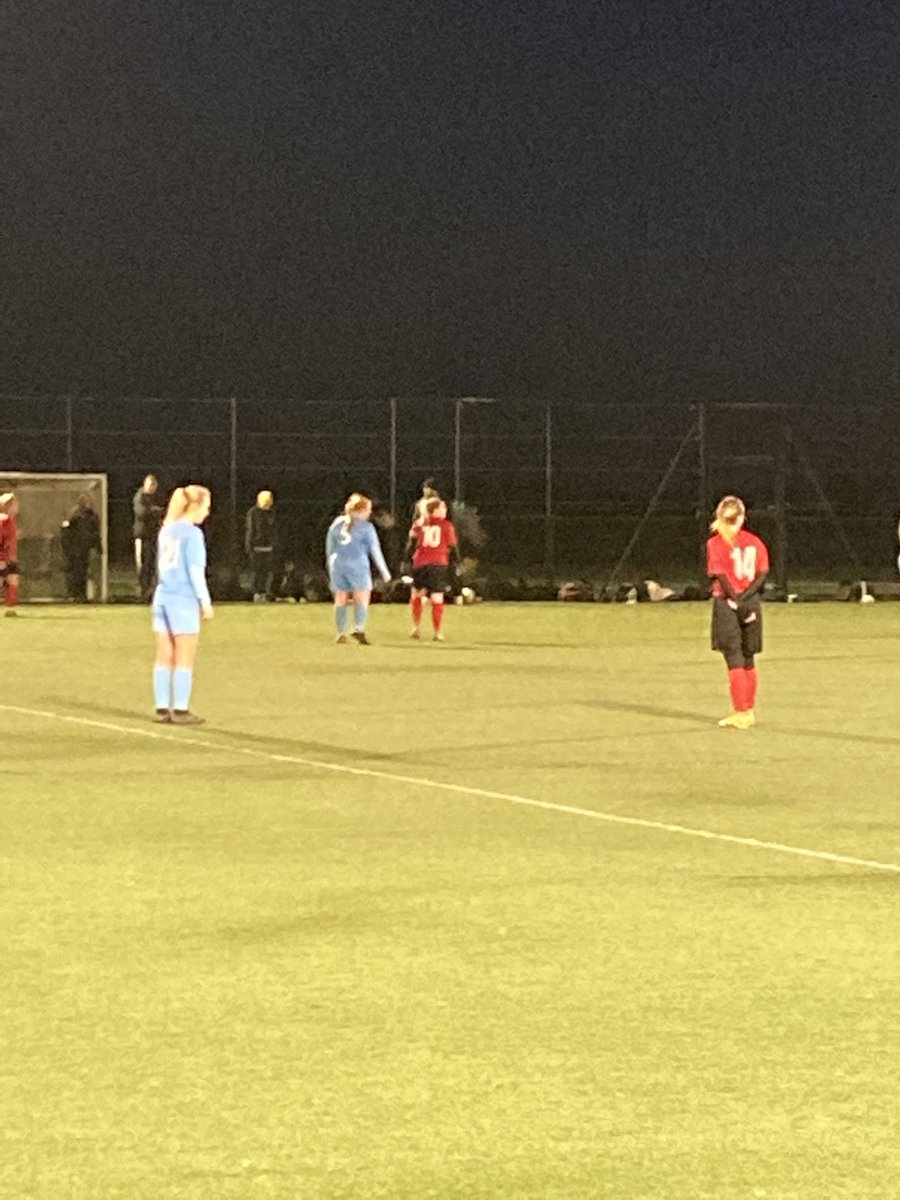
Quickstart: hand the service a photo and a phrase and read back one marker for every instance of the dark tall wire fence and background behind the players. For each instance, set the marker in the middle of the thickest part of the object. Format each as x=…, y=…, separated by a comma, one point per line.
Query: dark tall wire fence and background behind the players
x=562, y=489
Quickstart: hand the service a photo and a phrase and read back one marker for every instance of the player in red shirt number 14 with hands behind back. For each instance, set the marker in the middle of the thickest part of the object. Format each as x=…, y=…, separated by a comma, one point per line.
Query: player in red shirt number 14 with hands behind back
x=737, y=565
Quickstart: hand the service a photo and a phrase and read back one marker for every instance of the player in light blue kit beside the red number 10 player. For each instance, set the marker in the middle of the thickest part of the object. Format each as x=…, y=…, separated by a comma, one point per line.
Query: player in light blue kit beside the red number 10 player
x=351, y=547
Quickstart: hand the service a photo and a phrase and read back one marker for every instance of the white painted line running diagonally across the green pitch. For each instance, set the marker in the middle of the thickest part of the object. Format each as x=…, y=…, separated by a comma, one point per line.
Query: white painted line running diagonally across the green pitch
x=464, y=790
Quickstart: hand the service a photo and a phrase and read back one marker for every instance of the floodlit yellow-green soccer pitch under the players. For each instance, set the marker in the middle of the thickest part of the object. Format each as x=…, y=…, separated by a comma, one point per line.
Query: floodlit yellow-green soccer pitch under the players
x=379, y=929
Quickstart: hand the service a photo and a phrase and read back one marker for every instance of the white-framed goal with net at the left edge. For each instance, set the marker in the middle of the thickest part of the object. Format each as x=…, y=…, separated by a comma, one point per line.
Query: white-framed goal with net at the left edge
x=46, y=502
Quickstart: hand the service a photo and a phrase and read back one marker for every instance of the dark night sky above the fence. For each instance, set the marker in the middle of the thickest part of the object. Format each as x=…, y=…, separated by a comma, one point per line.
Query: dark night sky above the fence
x=331, y=197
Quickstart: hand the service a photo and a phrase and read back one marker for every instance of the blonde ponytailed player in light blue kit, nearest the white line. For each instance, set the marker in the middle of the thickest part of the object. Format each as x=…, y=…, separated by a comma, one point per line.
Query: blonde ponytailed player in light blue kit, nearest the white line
x=182, y=597
